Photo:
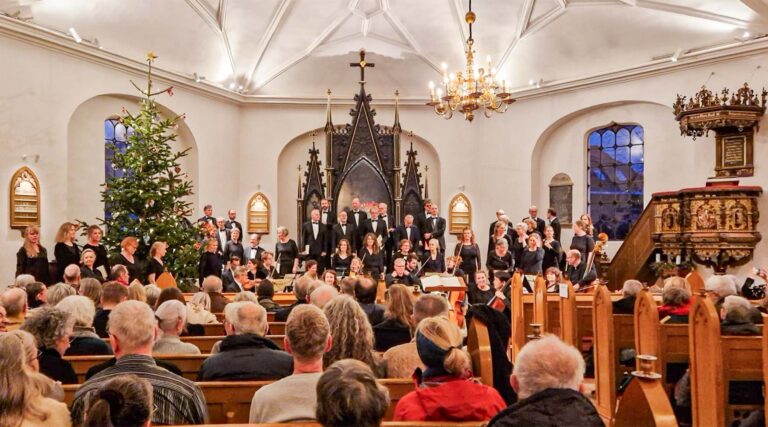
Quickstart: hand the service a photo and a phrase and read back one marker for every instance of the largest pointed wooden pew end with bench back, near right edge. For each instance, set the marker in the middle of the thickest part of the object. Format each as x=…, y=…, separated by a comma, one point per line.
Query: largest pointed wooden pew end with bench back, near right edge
x=716, y=361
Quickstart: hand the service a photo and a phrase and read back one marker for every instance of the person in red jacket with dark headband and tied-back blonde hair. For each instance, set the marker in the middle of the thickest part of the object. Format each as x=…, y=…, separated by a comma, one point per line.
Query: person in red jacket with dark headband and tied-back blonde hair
x=445, y=391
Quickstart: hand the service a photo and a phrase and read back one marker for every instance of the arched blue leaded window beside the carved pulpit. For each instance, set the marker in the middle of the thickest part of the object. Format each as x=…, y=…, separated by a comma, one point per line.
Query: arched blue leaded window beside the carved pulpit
x=615, y=178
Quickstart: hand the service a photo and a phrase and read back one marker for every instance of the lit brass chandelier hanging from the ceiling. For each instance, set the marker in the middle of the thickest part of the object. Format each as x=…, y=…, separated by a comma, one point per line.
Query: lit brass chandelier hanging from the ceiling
x=471, y=90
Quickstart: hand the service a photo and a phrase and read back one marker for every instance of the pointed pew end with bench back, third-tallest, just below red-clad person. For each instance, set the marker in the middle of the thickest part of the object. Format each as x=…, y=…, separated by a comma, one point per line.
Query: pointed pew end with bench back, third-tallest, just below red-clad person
x=667, y=342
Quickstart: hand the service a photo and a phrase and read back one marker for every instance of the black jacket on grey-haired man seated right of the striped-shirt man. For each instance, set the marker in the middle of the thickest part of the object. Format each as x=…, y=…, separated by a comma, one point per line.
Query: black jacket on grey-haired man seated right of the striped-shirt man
x=246, y=357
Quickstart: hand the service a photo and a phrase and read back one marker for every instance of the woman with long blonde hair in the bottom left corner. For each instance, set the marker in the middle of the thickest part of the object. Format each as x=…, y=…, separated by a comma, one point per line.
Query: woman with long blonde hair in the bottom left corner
x=22, y=401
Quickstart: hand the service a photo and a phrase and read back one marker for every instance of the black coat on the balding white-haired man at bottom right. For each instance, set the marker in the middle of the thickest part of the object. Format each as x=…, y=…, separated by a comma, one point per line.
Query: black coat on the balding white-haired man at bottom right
x=552, y=407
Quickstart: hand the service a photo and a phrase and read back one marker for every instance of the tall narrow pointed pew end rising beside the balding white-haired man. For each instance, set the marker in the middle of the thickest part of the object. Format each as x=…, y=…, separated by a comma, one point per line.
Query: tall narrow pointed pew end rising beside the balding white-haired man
x=611, y=333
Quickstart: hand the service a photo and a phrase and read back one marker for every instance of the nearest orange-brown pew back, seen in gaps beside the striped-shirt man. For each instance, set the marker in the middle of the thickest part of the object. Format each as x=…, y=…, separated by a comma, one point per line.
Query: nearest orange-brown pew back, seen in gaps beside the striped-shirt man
x=230, y=401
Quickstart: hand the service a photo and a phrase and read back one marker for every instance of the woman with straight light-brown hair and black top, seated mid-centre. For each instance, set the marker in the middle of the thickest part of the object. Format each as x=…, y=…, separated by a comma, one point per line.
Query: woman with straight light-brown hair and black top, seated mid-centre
x=397, y=325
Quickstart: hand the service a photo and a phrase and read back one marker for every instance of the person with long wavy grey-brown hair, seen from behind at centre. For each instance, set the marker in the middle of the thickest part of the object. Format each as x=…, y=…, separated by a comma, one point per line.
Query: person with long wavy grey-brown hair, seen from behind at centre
x=352, y=334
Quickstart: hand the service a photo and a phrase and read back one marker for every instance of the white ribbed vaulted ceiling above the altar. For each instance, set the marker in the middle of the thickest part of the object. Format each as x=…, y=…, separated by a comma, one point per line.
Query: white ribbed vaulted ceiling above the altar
x=297, y=48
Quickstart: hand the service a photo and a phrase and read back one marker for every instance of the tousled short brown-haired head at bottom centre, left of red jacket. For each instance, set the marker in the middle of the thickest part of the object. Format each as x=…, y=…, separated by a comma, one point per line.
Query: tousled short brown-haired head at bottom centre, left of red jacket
x=348, y=395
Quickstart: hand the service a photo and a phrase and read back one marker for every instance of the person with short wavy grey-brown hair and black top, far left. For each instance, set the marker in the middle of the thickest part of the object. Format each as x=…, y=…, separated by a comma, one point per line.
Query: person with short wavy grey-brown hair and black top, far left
x=52, y=329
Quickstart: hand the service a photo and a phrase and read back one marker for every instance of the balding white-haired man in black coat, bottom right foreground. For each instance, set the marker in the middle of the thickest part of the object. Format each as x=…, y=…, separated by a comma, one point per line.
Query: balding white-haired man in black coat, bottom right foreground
x=548, y=377
